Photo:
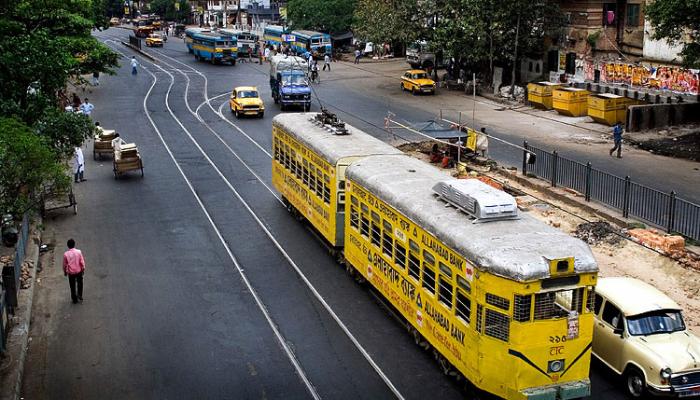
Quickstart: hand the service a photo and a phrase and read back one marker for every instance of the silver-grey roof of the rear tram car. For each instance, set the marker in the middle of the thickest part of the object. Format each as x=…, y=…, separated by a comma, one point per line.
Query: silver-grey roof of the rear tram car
x=331, y=147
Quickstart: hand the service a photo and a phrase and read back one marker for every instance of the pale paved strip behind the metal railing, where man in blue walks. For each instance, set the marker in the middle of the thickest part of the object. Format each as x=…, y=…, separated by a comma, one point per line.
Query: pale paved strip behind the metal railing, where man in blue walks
x=574, y=138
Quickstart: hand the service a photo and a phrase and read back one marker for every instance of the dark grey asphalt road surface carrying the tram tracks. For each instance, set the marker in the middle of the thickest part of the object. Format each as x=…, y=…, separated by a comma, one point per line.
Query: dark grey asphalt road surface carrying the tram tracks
x=199, y=283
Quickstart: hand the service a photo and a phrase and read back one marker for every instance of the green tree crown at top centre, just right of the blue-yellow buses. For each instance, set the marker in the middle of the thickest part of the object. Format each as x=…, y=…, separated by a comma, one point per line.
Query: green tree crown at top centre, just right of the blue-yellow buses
x=390, y=21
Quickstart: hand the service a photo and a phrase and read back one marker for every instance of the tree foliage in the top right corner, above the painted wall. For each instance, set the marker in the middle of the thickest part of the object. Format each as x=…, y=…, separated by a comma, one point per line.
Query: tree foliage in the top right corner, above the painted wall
x=677, y=21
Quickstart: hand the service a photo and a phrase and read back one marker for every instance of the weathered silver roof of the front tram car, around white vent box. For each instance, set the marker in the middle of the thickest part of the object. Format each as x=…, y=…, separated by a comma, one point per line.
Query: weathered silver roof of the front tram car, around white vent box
x=517, y=249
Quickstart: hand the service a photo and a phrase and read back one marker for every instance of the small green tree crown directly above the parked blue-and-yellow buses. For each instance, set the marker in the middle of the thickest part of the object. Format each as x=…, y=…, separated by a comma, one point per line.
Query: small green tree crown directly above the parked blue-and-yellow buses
x=332, y=16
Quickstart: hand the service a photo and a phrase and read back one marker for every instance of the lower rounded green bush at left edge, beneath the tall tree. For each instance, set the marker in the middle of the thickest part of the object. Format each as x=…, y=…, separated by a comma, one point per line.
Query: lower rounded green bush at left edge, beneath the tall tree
x=28, y=168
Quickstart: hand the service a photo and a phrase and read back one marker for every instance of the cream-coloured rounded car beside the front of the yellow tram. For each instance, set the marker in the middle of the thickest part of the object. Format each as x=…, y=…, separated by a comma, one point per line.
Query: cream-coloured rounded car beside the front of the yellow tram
x=640, y=334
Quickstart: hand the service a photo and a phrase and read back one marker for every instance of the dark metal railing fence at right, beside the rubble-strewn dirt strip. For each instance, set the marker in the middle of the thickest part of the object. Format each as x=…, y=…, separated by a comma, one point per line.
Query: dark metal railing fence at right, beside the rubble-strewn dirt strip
x=665, y=210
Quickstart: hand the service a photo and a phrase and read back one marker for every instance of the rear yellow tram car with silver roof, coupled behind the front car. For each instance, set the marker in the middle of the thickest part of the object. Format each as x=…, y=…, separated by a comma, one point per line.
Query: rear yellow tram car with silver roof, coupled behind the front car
x=308, y=168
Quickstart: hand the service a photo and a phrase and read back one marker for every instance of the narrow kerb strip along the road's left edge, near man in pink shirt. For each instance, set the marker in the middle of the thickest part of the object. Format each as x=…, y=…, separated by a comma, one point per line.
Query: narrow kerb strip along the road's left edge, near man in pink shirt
x=18, y=337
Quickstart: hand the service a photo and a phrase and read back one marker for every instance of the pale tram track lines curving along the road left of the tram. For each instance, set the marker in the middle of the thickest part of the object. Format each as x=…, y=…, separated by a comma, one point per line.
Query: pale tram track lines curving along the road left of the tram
x=247, y=206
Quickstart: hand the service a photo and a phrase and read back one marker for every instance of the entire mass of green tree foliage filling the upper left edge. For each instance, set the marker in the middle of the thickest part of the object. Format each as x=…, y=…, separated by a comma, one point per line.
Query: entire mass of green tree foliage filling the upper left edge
x=43, y=45
